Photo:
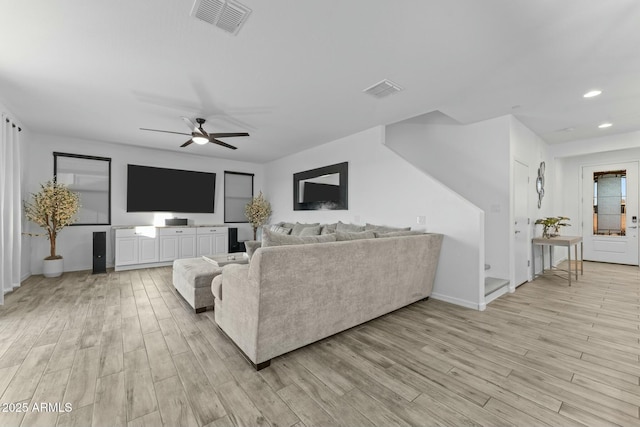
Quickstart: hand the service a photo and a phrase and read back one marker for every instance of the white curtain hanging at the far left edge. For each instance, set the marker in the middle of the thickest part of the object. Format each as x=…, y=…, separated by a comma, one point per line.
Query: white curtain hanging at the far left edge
x=10, y=207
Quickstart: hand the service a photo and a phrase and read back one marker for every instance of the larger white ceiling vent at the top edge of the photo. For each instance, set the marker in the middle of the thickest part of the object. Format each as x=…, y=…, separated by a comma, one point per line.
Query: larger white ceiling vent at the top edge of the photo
x=226, y=15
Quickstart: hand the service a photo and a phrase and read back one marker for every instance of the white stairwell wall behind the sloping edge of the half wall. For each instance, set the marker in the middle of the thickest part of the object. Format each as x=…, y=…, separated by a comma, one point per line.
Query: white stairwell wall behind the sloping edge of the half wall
x=472, y=160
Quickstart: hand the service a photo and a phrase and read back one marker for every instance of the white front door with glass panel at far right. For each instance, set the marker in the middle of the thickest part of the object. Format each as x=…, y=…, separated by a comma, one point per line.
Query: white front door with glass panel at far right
x=610, y=213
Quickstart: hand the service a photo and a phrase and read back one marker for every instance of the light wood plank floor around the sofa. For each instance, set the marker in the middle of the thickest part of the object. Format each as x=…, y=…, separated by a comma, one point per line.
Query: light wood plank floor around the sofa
x=124, y=349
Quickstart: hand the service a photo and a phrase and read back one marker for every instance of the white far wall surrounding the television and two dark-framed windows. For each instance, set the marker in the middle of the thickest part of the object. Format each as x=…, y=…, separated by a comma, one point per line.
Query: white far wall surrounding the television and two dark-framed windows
x=75, y=242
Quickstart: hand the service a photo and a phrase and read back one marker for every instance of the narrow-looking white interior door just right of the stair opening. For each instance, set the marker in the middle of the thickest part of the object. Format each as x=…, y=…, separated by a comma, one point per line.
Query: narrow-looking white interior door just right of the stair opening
x=521, y=223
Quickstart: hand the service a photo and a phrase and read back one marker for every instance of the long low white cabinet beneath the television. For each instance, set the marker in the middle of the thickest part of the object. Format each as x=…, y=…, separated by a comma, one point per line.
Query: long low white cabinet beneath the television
x=149, y=246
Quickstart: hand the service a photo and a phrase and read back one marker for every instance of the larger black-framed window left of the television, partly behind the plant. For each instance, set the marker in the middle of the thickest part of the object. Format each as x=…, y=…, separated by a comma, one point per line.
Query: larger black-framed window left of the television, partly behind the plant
x=90, y=177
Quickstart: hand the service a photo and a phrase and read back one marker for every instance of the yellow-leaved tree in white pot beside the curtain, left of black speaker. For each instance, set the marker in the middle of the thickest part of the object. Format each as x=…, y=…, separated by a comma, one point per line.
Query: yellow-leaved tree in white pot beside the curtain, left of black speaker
x=52, y=208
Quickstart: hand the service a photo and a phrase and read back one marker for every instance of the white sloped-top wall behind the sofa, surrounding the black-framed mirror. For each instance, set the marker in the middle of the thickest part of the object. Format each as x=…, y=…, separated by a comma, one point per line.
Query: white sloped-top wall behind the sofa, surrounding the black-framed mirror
x=386, y=189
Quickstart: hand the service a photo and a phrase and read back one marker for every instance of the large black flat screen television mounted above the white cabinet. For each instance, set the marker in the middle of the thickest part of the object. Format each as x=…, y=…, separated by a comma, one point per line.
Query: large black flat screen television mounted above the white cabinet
x=151, y=189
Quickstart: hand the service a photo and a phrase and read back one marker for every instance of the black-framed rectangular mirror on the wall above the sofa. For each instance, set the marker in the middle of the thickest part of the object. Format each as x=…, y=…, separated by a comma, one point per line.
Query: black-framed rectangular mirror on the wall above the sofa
x=323, y=188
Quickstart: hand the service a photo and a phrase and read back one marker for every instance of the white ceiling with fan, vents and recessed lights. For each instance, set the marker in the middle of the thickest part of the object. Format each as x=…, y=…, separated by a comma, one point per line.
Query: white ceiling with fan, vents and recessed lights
x=293, y=76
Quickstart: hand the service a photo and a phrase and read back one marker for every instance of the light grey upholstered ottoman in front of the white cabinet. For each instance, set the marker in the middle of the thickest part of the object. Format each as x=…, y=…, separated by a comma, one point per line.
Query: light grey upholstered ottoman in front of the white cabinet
x=192, y=278
